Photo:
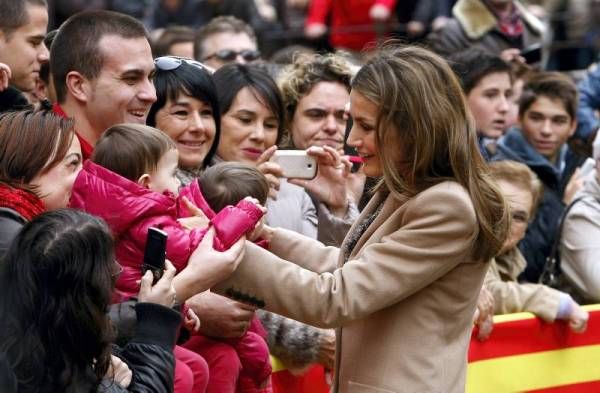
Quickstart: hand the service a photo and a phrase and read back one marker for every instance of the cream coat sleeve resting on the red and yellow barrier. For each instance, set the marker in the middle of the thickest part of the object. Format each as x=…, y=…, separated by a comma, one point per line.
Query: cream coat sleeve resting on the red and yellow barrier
x=511, y=296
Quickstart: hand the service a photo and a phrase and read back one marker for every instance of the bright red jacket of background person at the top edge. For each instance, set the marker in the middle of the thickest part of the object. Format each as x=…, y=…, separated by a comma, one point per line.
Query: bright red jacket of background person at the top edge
x=344, y=15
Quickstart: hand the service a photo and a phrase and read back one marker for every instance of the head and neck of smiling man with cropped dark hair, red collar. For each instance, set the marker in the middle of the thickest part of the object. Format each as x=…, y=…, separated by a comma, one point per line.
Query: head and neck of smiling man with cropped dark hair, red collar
x=102, y=68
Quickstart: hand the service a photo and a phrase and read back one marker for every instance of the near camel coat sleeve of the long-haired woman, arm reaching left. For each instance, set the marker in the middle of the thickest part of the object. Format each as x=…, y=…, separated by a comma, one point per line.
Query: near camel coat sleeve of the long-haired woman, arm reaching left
x=431, y=239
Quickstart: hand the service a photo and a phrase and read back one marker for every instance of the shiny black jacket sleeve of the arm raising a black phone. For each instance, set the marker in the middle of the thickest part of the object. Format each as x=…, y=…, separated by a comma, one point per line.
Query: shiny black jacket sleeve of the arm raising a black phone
x=149, y=354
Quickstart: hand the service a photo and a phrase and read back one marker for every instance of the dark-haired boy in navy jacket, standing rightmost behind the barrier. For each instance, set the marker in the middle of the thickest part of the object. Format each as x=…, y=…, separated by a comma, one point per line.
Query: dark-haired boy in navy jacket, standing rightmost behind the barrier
x=547, y=111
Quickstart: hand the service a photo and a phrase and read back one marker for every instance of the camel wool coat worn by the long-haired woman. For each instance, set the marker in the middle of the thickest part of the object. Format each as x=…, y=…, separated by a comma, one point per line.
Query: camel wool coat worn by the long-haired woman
x=403, y=302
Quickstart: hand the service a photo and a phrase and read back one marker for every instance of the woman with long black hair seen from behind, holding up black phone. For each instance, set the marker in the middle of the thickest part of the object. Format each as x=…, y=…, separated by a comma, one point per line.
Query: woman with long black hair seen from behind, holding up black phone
x=57, y=280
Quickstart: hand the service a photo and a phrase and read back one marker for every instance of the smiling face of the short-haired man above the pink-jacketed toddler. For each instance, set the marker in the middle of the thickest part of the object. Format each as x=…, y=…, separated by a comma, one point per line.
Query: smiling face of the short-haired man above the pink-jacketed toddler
x=123, y=91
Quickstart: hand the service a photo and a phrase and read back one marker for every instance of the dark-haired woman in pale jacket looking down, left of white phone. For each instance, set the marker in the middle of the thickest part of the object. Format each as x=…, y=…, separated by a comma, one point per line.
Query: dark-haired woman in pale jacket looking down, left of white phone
x=253, y=119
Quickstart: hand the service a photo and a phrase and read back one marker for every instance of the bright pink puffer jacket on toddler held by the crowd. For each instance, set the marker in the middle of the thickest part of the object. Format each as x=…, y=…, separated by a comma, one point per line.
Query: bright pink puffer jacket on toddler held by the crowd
x=129, y=210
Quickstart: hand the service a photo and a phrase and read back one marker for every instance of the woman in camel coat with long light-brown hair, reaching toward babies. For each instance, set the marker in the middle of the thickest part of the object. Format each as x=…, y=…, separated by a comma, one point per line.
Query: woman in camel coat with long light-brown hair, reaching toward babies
x=402, y=290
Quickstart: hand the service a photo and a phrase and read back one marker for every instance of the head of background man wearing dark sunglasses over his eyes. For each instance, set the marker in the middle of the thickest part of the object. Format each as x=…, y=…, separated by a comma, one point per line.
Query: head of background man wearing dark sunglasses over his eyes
x=224, y=40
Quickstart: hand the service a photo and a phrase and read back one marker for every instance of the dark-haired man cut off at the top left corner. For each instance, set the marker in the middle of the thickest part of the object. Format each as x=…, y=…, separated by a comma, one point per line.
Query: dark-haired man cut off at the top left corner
x=23, y=25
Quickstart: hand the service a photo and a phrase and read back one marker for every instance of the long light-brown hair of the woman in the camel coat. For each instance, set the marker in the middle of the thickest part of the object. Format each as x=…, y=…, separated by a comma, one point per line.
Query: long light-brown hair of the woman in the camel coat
x=424, y=115
